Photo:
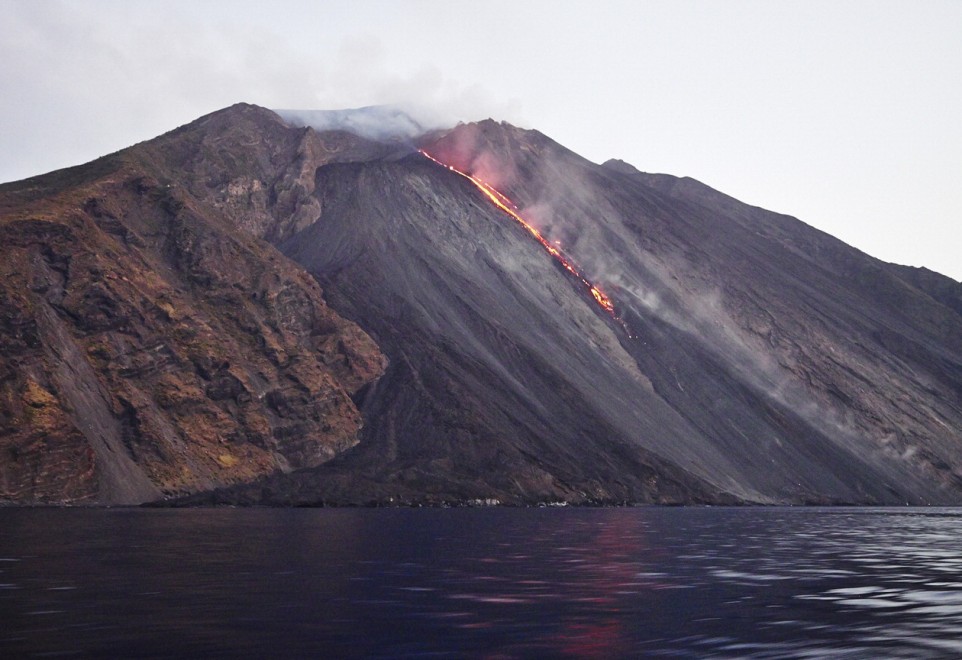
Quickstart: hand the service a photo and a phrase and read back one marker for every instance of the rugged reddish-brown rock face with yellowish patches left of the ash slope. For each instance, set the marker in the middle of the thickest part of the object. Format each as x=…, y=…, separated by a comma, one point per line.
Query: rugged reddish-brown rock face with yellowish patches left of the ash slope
x=149, y=348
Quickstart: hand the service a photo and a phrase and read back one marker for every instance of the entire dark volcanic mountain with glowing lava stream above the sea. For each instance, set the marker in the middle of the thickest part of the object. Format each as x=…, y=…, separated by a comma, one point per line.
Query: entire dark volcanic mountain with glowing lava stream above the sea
x=251, y=310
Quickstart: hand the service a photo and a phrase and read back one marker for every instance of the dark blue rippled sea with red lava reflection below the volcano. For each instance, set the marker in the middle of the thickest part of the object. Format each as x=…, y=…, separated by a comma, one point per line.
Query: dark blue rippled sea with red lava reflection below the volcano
x=481, y=582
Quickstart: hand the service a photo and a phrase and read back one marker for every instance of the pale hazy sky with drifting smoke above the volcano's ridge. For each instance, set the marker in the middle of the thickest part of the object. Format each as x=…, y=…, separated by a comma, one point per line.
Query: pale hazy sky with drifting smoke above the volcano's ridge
x=846, y=114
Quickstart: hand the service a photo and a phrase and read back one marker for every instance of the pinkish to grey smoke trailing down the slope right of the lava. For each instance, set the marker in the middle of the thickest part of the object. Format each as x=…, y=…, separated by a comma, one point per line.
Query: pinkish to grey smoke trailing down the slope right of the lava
x=563, y=206
